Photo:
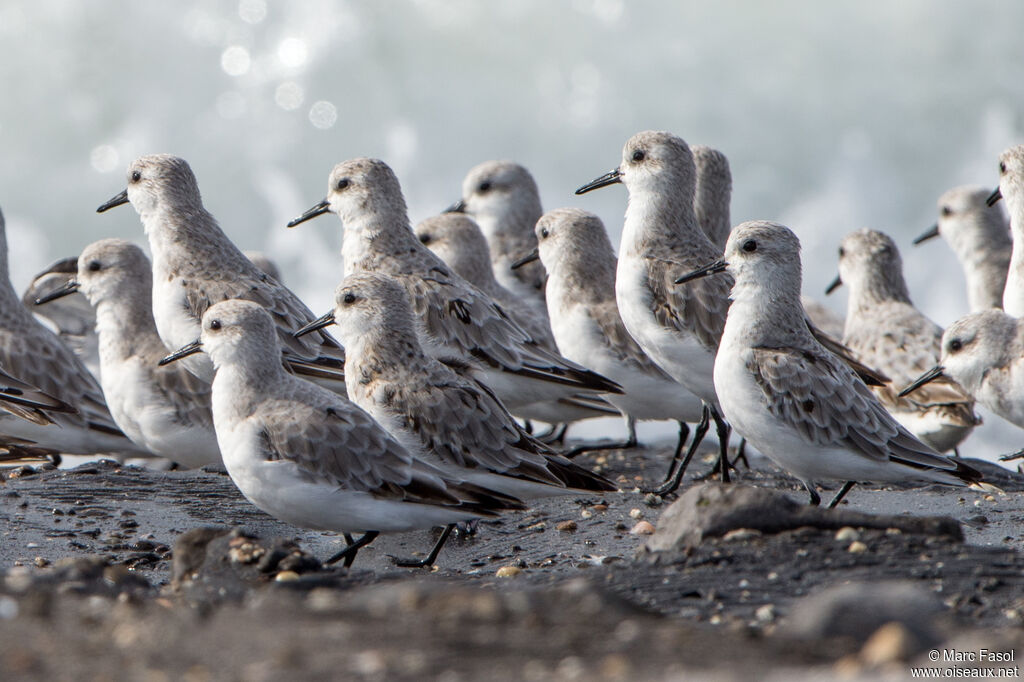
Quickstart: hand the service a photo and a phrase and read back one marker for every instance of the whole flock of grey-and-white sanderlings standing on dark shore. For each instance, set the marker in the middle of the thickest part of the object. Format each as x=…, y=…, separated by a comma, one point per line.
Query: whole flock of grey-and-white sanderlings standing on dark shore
x=495, y=311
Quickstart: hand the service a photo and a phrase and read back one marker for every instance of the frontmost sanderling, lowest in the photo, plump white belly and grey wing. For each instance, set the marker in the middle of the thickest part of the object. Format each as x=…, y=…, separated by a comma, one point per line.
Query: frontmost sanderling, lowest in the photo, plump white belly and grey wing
x=311, y=457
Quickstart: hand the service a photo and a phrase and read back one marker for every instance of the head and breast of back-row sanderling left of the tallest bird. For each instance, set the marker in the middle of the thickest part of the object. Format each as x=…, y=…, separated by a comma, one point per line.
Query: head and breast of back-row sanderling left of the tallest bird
x=503, y=198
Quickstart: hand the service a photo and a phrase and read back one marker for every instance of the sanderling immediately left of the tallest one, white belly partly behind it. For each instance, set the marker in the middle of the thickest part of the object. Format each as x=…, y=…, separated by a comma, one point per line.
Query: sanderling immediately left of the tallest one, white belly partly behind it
x=575, y=249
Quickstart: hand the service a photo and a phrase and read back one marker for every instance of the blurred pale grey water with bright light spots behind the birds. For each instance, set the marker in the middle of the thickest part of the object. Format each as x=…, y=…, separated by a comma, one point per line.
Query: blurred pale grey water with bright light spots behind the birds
x=835, y=116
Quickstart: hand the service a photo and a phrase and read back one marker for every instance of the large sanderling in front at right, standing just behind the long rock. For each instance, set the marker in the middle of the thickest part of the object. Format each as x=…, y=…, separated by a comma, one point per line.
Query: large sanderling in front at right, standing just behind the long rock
x=795, y=401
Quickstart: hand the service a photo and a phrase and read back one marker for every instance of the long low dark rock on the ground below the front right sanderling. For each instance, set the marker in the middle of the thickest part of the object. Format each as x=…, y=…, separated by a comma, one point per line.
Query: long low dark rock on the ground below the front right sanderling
x=713, y=509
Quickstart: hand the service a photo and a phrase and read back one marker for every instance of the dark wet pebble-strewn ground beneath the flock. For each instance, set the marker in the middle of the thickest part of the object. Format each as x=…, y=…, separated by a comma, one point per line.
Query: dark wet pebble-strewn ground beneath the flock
x=100, y=584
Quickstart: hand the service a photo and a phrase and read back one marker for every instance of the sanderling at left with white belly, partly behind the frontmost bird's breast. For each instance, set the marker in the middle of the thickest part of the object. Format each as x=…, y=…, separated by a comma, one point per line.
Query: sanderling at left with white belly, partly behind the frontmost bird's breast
x=165, y=410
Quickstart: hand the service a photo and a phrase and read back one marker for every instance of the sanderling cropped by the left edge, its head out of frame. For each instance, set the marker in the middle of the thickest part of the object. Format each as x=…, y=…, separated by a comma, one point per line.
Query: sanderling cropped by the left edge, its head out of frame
x=35, y=356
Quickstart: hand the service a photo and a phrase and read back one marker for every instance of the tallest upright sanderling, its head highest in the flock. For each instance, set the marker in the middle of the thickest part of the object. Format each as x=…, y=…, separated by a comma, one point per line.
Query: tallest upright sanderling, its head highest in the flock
x=678, y=328
